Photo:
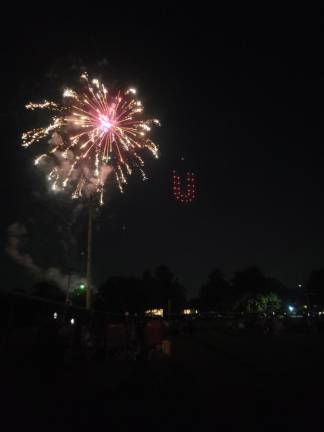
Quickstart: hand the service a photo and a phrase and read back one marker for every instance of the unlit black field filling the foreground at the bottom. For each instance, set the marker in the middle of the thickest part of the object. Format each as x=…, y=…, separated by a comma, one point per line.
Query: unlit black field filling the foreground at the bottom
x=213, y=379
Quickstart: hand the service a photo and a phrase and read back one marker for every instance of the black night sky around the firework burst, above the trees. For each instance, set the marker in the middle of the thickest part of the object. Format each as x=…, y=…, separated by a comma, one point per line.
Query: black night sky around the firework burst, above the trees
x=238, y=96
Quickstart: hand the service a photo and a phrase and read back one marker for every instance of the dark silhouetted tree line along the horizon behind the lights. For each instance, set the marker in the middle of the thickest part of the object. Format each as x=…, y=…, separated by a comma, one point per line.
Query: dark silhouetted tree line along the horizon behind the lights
x=248, y=290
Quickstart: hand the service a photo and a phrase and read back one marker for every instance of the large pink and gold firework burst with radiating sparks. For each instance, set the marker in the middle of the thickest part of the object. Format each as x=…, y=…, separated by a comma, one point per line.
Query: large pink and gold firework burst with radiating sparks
x=94, y=131
